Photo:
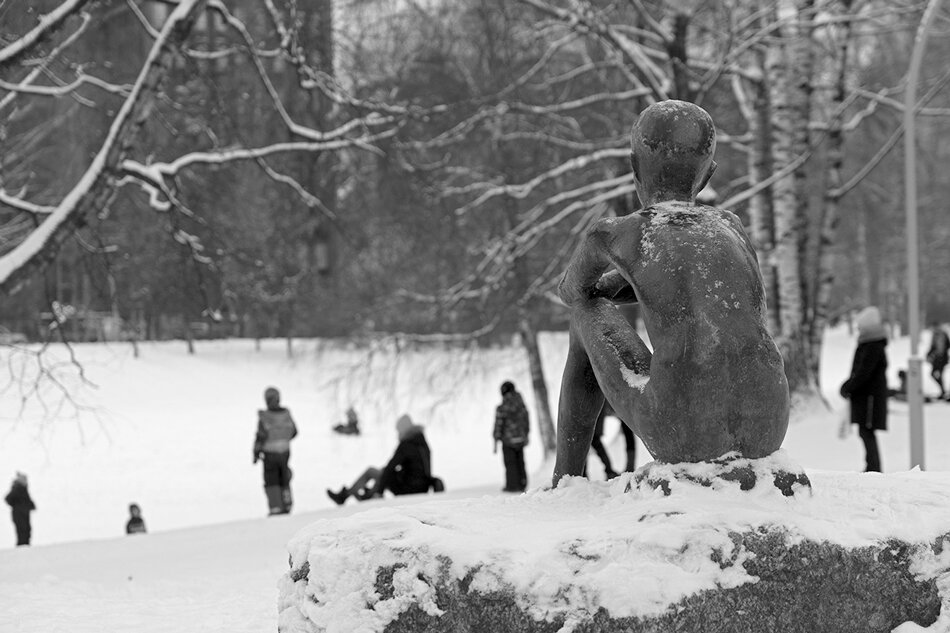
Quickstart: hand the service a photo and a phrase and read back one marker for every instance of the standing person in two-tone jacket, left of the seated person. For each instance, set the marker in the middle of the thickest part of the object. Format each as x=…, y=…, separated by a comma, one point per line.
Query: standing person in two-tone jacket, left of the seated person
x=275, y=429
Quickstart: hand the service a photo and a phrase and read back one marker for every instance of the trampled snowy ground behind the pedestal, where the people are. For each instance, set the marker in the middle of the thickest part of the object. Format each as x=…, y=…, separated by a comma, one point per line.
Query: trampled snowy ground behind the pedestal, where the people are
x=173, y=433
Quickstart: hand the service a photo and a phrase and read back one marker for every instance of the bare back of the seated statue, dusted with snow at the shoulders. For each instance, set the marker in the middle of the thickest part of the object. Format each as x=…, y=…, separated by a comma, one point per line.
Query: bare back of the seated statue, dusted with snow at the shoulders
x=716, y=380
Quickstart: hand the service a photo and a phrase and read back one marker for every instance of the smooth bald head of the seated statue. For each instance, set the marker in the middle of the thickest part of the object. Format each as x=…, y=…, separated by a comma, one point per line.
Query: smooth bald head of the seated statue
x=672, y=147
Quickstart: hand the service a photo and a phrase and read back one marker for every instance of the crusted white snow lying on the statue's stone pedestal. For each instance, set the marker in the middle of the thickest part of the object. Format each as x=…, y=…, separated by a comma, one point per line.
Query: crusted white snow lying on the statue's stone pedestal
x=587, y=545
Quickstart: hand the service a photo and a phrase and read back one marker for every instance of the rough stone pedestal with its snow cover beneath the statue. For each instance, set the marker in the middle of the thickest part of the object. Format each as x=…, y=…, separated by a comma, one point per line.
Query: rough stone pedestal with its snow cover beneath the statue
x=863, y=552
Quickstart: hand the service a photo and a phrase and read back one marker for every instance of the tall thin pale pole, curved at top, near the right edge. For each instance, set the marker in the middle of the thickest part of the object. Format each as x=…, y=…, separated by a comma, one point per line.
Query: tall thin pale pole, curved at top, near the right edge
x=914, y=382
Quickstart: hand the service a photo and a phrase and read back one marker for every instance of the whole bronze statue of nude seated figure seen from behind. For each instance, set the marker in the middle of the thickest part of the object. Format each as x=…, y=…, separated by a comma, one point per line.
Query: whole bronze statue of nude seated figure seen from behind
x=714, y=383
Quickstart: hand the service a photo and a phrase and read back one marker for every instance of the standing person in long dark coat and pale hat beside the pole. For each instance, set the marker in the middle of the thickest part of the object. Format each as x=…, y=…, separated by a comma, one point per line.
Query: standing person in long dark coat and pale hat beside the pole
x=866, y=387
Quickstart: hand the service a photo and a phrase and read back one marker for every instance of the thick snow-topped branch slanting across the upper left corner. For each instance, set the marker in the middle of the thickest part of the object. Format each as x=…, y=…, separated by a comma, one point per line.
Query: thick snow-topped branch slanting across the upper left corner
x=95, y=188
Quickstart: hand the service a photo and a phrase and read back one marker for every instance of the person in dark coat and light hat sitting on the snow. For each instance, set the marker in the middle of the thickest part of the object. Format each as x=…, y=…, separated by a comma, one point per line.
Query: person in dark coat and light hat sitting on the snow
x=409, y=471
